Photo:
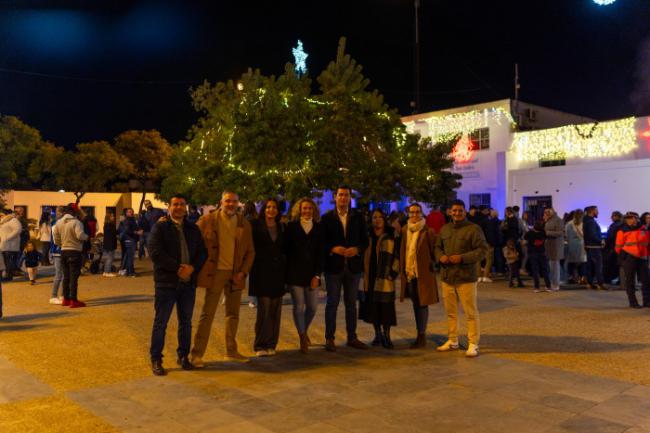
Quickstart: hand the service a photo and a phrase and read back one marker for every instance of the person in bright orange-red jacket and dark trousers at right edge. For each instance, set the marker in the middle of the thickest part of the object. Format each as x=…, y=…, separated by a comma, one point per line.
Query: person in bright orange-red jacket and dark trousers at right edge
x=632, y=248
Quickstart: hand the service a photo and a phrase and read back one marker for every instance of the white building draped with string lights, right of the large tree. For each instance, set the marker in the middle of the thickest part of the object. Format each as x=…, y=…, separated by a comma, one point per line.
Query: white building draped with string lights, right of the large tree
x=515, y=153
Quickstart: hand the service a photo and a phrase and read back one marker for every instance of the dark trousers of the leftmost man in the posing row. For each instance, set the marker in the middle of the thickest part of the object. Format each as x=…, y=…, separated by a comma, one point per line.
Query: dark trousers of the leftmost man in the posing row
x=183, y=296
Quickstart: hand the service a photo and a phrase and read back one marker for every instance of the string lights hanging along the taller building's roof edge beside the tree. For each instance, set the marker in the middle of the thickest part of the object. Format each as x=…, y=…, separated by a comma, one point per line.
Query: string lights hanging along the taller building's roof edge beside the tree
x=442, y=128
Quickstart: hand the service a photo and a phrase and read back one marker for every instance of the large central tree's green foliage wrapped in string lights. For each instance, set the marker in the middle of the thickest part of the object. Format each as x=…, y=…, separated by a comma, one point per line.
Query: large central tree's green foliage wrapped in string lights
x=267, y=136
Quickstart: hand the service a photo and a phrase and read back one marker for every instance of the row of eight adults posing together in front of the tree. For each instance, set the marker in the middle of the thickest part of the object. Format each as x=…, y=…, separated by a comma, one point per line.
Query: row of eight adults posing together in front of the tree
x=338, y=251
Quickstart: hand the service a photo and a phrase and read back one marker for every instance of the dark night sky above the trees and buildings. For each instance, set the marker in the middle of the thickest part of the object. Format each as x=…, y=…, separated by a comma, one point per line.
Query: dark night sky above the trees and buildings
x=88, y=70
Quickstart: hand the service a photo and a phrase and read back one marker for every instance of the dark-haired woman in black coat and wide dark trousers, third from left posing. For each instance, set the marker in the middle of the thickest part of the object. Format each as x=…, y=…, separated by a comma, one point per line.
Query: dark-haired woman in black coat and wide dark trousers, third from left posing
x=267, y=277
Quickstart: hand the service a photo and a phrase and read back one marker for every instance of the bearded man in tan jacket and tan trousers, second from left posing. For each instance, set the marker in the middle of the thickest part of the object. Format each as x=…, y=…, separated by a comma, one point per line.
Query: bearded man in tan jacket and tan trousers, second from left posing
x=228, y=238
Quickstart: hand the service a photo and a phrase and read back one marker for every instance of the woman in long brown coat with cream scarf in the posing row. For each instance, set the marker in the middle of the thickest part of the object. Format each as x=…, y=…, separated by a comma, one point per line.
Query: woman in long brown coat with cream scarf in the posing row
x=417, y=277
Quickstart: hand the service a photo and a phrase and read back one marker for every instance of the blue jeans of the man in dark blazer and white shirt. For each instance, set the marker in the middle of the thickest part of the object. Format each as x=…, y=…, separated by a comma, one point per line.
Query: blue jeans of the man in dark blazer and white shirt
x=334, y=283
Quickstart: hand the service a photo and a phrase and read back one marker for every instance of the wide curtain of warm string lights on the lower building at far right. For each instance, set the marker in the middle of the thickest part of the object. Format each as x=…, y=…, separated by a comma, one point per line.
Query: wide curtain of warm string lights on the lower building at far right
x=592, y=140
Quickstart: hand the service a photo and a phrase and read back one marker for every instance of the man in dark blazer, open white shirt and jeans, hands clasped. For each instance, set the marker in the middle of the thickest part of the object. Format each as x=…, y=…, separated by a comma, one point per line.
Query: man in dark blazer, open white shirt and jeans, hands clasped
x=345, y=238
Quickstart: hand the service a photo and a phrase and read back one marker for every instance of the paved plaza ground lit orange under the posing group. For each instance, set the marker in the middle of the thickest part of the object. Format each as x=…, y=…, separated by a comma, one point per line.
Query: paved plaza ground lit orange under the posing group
x=573, y=361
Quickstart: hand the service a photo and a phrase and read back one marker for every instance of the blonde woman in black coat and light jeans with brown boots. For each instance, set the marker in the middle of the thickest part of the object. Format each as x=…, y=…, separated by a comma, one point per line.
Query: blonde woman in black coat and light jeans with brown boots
x=304, y=250
